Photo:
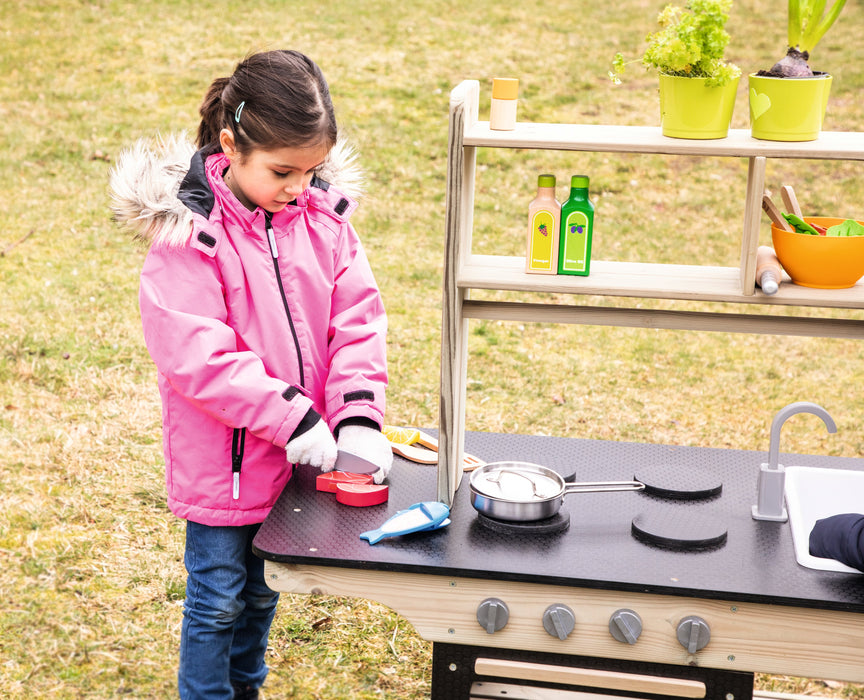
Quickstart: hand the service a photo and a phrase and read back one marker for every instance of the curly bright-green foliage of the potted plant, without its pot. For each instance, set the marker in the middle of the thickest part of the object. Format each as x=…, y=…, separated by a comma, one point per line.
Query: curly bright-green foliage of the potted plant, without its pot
x=690, y=43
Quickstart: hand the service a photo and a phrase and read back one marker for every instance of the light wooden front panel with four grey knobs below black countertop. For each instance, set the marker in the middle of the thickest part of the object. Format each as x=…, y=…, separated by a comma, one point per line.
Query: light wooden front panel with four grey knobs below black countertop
x=745, y=636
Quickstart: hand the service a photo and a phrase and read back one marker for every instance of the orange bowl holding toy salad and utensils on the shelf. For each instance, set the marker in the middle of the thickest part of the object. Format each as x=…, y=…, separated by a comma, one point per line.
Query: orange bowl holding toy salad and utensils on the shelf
x=824, y=262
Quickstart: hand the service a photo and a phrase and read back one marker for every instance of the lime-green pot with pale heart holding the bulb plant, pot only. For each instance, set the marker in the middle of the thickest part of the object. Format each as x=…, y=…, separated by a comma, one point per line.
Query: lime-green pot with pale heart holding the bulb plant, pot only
x=788, y=109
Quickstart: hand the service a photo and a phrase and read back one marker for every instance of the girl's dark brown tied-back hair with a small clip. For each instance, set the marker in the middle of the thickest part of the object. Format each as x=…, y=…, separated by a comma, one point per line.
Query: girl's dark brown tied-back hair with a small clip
x=274, y=99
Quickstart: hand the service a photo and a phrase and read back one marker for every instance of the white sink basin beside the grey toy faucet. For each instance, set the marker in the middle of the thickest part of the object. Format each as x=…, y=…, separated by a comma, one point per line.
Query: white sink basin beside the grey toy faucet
x=812, y=494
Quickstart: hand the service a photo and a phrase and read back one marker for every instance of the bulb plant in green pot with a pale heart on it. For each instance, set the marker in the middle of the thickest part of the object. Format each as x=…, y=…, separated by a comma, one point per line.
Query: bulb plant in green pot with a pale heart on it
x=788, y=102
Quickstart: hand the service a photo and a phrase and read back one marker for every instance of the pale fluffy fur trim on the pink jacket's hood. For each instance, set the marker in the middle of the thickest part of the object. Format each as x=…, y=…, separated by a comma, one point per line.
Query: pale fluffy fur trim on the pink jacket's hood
x=146, y=178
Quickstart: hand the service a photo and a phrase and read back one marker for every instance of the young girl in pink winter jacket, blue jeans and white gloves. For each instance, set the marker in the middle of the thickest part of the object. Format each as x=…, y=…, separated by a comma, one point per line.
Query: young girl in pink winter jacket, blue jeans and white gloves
x=268, y=333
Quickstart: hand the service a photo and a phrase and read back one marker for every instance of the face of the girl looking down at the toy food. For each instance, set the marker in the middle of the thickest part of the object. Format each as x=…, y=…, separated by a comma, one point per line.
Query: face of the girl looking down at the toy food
x=270, y=179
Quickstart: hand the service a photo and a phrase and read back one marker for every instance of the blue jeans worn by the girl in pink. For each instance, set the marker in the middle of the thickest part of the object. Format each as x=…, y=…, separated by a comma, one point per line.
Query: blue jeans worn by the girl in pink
x=227, y=613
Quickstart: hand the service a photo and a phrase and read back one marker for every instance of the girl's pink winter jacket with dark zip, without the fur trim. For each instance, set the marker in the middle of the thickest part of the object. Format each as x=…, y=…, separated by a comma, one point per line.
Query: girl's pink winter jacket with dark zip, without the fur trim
x=247, y=338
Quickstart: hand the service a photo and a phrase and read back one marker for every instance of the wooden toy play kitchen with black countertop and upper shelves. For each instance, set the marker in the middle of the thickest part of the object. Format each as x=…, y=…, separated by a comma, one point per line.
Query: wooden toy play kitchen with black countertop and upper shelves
x=676, y=589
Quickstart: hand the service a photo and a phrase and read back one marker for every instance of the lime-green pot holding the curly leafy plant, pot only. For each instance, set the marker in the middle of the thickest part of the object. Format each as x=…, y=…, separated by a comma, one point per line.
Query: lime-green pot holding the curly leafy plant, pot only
x=690, y=110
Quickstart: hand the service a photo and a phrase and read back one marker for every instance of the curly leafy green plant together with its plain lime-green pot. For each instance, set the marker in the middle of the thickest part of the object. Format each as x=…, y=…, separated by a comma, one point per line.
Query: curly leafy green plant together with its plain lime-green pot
x=697, y=85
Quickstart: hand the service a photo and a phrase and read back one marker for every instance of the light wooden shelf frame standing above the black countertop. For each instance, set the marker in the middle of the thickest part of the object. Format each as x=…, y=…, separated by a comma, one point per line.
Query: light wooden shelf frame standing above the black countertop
x=464, y=271
